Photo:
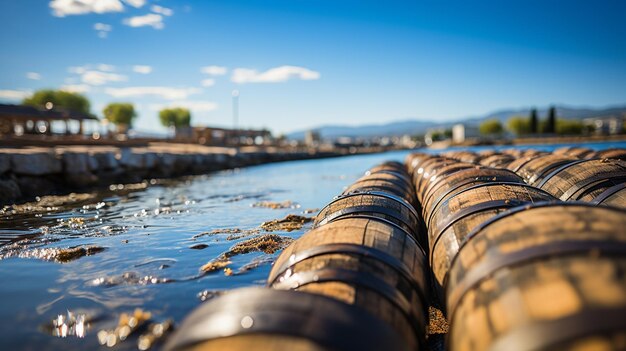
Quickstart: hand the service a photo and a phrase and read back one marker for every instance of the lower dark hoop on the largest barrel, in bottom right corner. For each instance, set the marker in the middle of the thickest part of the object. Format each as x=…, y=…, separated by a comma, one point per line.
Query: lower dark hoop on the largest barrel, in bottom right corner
x=549, y=334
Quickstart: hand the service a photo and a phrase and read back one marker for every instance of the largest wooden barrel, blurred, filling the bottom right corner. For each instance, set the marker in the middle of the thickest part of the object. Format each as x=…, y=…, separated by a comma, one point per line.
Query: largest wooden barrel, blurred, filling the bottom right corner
x=548, y=277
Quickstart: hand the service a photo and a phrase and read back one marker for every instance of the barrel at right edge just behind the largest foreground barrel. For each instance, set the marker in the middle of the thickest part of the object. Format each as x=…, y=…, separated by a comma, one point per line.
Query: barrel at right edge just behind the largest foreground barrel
x=584, y=179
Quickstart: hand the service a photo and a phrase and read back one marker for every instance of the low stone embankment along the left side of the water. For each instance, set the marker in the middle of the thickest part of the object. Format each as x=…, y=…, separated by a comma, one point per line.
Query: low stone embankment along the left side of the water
x=35, y=171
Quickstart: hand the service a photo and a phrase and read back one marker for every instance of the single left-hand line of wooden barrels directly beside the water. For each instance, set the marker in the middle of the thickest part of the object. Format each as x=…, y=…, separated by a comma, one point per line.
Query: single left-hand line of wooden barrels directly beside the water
x=359, y=280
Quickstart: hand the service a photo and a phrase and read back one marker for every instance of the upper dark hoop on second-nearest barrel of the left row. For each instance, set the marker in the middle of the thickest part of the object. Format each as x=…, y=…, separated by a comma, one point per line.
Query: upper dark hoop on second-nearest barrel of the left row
x=358, y=250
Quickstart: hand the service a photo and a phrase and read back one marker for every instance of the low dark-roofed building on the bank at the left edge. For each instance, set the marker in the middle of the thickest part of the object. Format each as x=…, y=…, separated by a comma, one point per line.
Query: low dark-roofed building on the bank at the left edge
x=18, y=120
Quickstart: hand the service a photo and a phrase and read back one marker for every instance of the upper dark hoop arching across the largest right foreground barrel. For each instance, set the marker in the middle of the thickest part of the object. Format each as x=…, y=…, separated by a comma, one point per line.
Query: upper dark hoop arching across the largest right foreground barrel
x=492, y=263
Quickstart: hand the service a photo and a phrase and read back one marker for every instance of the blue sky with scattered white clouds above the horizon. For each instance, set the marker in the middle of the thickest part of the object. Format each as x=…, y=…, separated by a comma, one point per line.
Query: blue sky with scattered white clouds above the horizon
x=303, y=63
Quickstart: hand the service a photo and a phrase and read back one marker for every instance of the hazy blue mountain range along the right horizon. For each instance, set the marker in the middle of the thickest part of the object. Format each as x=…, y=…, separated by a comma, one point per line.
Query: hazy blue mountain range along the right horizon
x=413, y=127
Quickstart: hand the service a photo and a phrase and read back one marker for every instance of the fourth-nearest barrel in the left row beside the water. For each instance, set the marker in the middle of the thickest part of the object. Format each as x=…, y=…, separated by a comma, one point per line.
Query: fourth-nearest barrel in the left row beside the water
x=385, y=182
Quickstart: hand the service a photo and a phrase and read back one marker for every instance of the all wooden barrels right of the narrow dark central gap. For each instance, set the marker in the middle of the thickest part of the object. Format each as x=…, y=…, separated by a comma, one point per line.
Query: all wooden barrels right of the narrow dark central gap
x=516, y=267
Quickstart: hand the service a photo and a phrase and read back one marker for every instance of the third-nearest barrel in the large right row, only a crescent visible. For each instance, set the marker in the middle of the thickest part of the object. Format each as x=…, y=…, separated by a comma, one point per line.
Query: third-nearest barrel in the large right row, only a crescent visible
x=458, y=181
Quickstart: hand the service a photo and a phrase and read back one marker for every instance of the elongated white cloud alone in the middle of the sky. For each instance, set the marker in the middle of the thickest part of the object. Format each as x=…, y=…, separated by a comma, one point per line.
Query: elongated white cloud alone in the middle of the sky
x=273, y=75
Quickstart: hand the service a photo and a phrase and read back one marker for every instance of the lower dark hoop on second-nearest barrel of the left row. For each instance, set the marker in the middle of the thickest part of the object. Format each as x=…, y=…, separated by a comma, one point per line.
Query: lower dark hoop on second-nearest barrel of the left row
x=362, y=279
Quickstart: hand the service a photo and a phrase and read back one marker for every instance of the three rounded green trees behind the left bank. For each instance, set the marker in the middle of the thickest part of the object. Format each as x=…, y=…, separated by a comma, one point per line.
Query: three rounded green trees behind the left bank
x=118, y=113
